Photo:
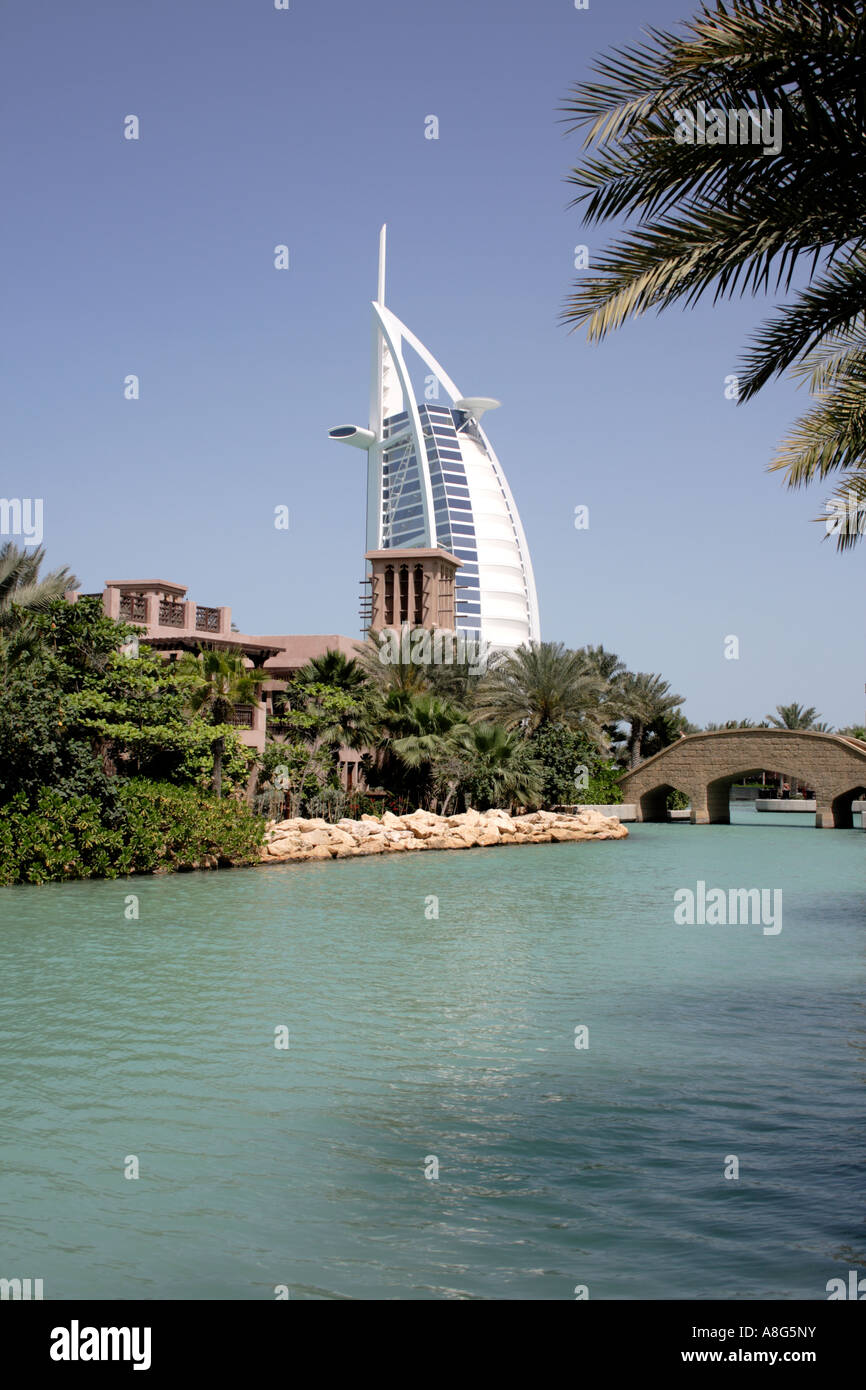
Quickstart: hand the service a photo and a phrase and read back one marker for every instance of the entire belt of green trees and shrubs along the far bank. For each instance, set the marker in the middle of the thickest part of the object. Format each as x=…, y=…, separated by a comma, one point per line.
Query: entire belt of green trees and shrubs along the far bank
x=117, y=761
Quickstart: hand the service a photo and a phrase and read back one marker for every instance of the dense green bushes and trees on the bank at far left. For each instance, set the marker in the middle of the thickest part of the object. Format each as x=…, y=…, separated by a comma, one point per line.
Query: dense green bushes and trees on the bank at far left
x=106, y=758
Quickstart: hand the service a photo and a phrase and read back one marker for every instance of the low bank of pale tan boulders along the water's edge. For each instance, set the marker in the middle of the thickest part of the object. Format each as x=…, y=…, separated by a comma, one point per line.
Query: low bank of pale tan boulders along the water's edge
x=302, y=840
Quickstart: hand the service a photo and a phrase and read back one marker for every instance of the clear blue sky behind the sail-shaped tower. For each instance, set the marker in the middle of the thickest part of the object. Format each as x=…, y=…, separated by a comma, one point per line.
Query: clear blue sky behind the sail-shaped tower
x=307, y=127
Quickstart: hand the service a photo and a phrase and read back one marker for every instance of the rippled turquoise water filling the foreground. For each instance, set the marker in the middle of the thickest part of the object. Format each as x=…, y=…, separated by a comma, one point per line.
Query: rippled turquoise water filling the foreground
x=415, y=1038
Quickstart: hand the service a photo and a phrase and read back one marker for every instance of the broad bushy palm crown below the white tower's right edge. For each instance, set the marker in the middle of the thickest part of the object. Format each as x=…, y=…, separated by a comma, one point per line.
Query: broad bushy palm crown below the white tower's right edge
x=543, y=683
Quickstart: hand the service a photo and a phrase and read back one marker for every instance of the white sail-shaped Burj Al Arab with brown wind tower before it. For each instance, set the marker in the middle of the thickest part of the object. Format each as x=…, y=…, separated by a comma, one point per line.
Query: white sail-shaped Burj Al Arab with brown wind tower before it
x=446, y=546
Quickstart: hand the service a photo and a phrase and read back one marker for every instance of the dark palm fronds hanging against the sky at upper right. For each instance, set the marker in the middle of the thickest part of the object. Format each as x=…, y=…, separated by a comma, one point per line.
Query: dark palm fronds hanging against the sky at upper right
x=732, y=219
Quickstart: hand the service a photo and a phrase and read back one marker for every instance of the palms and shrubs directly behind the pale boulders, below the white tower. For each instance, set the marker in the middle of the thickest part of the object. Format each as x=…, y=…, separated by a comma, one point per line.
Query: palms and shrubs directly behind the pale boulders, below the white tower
x=544, y=726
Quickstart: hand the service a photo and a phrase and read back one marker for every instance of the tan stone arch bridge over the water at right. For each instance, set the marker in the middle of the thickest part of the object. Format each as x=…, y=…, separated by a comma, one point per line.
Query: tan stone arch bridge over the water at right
x=704, y=767
